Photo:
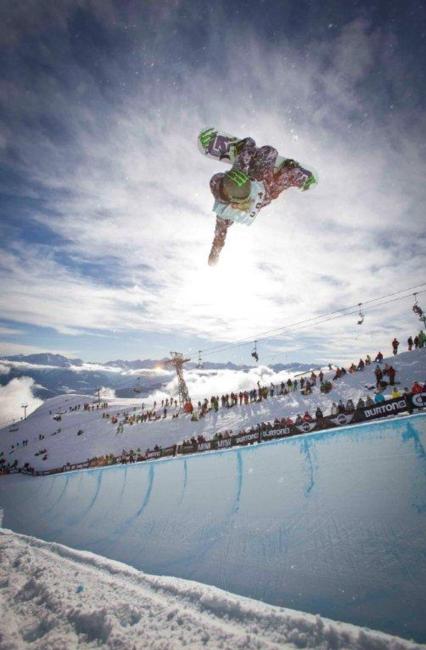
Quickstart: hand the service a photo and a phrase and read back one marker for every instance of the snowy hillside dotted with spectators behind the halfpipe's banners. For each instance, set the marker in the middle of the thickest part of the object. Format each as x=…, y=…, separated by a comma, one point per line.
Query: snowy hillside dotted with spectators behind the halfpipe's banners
x=100, y=436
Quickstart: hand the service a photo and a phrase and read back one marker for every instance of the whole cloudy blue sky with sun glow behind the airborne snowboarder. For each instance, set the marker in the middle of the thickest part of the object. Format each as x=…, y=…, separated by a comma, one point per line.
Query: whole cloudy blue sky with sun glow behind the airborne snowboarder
x=105, y=209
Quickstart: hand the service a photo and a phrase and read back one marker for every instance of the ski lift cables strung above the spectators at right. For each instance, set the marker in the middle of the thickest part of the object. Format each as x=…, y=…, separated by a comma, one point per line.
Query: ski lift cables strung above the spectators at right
x=320, y=318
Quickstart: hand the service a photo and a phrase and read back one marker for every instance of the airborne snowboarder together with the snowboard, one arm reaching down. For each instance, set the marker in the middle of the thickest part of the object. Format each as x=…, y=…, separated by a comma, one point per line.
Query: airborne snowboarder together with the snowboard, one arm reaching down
x=257, y=177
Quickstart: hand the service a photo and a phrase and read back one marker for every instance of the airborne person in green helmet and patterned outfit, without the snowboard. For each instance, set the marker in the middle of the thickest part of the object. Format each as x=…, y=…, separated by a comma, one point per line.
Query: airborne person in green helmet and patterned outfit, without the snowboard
x=253, y=182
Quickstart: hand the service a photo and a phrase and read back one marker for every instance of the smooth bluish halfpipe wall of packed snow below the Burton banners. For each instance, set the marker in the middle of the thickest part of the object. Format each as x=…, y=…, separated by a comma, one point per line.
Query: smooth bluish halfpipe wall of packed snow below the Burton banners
x=331, y=523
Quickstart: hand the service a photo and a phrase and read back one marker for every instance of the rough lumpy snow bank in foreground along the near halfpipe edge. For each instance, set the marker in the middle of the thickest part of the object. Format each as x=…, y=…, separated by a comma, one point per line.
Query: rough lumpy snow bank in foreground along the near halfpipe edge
x=55, y=597
